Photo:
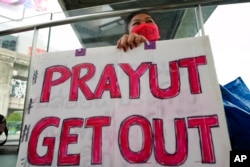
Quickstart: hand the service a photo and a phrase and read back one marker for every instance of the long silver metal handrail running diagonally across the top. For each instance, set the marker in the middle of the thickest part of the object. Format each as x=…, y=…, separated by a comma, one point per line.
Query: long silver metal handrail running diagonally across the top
x=109, y=14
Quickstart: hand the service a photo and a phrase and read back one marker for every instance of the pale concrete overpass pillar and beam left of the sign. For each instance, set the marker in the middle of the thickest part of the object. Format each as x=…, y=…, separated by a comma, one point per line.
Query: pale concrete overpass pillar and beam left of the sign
x=12, y=65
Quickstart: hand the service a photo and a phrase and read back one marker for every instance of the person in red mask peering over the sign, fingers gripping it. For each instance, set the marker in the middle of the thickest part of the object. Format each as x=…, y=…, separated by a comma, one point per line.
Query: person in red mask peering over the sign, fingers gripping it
x=141, y=27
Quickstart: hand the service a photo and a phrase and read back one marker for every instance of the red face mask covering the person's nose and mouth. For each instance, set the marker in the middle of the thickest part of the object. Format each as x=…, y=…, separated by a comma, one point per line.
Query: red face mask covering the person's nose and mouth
x=150, y=31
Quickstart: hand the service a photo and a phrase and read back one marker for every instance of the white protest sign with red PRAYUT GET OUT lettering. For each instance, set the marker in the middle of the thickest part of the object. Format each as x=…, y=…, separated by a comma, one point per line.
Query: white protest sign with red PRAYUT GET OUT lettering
x=156, y=105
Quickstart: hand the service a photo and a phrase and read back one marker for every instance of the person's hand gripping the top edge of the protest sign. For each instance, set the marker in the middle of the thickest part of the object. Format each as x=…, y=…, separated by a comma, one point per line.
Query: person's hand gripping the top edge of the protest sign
x=130, y=41
